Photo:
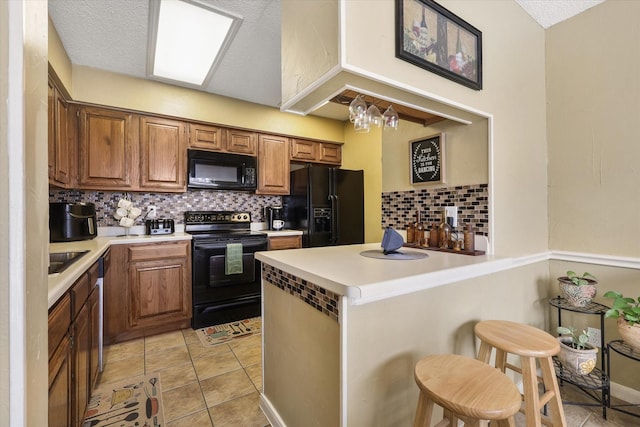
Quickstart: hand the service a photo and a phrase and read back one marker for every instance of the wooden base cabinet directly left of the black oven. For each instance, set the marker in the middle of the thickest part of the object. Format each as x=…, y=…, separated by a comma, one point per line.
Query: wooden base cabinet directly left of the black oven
x=149, y=290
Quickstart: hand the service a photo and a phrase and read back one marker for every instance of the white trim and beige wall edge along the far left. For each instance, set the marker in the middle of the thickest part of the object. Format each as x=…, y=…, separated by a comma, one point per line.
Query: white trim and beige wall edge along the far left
x=23, y=200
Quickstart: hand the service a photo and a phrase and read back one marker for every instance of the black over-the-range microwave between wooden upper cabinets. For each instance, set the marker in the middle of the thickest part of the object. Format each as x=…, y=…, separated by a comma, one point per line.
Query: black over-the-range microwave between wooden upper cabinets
x=221, y=171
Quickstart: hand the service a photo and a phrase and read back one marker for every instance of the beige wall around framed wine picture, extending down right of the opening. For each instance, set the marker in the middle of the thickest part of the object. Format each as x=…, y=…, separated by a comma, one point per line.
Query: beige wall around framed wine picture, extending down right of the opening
x=513, y=94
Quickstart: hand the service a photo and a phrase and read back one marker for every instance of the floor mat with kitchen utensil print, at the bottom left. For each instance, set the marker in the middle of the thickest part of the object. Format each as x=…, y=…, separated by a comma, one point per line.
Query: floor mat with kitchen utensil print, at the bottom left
x=133, y=402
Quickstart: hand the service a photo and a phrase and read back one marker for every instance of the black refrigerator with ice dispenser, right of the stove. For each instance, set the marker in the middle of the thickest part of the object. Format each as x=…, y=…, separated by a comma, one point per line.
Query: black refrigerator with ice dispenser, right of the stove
x=327, y=205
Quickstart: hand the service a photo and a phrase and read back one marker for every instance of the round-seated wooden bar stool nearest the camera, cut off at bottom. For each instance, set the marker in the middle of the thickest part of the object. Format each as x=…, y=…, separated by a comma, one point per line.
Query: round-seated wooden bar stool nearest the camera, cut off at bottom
x=466, y=389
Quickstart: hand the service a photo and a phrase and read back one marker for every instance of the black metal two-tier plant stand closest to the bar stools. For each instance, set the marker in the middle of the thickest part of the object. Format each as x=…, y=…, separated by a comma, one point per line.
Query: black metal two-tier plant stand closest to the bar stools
x=595, y=384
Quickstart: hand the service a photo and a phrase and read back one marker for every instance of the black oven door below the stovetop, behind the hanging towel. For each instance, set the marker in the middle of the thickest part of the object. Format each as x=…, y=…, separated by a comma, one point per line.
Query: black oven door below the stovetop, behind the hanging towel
x=211, y=284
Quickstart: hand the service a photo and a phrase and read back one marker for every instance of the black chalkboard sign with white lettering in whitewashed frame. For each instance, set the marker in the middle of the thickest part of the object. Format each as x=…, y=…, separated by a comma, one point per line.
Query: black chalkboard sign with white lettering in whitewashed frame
x=427, y=159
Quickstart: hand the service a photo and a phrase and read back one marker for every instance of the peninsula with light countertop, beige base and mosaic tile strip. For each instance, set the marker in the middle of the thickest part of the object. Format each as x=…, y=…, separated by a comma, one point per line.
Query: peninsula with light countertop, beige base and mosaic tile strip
x=342, y=332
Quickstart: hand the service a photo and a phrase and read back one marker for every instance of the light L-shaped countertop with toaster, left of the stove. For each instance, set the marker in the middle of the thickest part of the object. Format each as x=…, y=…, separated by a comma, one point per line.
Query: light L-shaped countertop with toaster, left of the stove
x=59, y=283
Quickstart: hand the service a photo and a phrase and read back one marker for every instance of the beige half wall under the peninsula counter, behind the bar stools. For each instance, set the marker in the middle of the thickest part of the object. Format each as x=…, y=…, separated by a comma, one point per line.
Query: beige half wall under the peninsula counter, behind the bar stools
x=385, y=339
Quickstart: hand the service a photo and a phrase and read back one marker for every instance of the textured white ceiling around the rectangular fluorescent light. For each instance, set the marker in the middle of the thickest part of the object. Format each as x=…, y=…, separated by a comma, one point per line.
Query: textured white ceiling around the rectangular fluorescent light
x=112, y=35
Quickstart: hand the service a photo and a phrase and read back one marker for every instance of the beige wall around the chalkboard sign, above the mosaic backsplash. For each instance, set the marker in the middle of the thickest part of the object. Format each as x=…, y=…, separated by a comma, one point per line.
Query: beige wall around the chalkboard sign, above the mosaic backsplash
x=466, y=154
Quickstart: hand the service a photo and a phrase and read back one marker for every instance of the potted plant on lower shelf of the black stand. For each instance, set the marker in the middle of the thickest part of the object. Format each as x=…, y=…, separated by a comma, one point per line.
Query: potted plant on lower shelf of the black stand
x=576, y=353
